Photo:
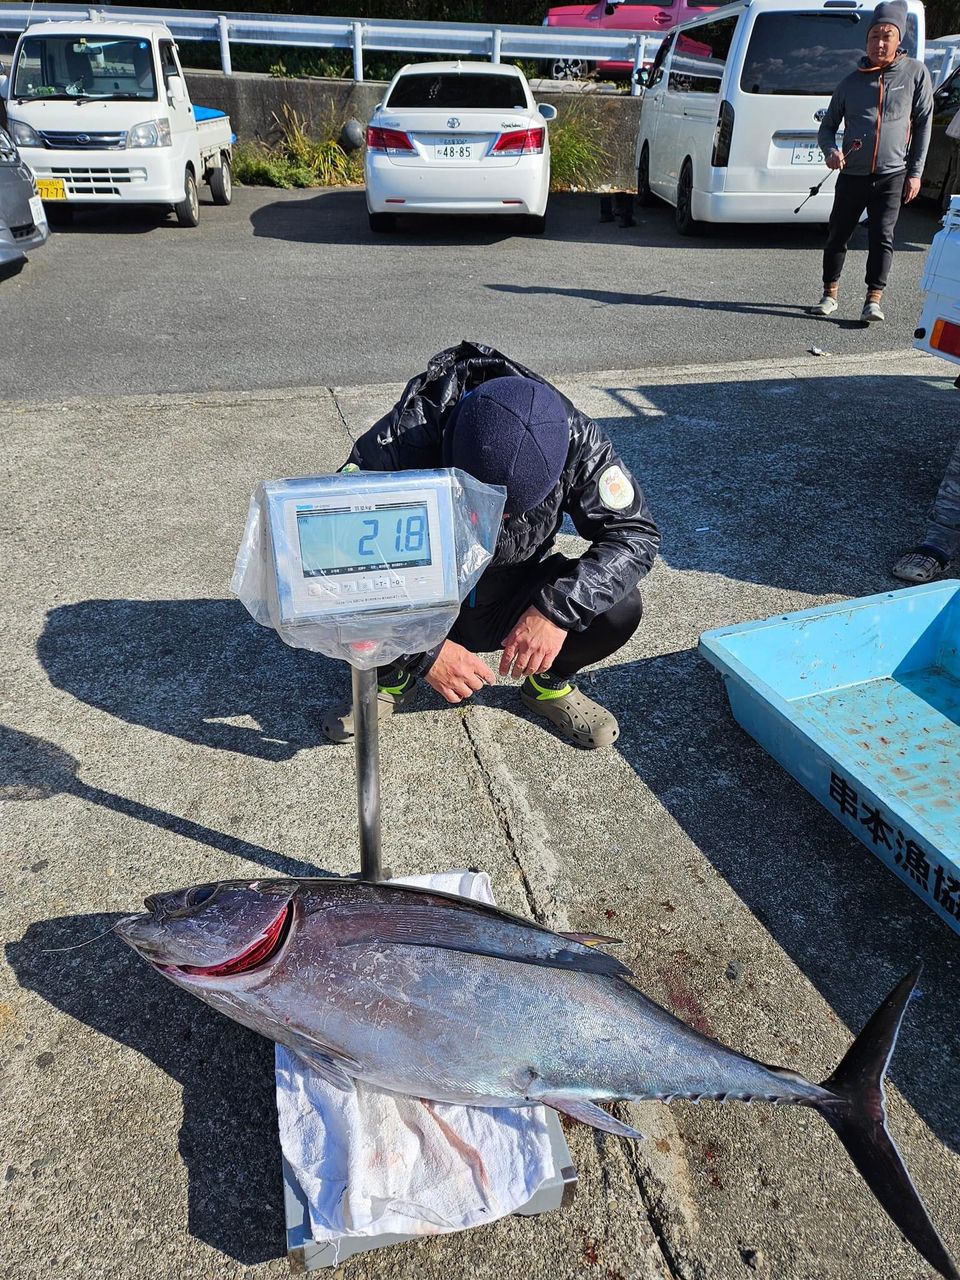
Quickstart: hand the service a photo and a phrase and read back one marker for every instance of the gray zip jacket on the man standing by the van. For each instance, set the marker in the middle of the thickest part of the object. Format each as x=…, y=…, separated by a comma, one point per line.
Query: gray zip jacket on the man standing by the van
x=890, y=112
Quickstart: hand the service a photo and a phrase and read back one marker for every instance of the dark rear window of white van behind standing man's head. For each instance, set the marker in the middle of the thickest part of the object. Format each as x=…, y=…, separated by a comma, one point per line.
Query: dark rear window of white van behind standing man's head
x=807, y=53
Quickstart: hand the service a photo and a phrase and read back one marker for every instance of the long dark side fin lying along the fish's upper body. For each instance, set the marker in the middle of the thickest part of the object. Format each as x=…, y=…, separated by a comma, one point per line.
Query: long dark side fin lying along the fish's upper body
x=395, y=916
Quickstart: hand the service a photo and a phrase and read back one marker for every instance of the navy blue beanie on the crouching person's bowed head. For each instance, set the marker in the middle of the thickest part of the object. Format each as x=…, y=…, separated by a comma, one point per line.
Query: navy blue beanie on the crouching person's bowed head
x=513, y=432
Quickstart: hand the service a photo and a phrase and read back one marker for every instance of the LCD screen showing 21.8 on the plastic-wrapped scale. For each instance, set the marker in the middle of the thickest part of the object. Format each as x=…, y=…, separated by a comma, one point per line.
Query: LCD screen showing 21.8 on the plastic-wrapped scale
x=349, y=542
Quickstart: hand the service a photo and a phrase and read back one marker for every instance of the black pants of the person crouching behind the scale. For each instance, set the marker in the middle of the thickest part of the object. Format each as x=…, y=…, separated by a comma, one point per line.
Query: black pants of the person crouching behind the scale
x=500, y=600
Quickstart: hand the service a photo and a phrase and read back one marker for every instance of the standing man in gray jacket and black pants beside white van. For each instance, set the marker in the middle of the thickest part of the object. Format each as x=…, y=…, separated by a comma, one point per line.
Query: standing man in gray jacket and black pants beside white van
x=886, y=108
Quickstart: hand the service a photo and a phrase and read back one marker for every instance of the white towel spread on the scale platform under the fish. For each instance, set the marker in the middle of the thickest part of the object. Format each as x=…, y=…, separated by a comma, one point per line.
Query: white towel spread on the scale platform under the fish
x=374, y=1163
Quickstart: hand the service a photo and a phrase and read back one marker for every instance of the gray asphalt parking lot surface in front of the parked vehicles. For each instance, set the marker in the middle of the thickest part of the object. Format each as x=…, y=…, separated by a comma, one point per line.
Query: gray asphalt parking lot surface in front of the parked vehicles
x=291, y=290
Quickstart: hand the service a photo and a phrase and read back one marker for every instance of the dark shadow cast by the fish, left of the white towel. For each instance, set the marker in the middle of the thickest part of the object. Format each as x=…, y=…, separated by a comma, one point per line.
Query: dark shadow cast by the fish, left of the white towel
x=228, y=1139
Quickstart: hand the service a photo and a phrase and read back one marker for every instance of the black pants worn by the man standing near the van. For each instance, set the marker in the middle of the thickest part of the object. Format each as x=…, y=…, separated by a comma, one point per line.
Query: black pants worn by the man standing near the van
x=883, y=196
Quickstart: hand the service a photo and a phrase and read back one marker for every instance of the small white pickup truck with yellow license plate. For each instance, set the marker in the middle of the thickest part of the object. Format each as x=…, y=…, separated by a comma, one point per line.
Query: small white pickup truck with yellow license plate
x=102, y=115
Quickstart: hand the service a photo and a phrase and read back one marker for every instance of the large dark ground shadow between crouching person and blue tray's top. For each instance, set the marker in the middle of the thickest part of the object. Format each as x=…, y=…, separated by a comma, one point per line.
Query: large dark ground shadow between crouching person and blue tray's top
x=779, y=482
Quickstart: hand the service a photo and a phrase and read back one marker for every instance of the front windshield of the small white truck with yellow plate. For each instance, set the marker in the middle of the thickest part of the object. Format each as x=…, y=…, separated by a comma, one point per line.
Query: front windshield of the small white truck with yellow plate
x=76, y=67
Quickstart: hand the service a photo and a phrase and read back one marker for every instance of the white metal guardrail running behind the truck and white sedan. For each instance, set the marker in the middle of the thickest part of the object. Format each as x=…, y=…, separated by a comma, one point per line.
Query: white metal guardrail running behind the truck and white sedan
x=447, y=39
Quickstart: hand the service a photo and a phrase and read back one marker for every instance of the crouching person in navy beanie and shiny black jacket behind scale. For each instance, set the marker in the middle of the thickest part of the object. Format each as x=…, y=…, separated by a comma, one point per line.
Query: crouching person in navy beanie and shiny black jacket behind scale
x=481, y=412
